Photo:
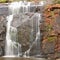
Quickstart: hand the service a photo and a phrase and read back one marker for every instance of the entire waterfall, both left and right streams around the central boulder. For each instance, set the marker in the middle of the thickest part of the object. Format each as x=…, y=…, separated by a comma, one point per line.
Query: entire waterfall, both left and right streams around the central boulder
x=14, y=48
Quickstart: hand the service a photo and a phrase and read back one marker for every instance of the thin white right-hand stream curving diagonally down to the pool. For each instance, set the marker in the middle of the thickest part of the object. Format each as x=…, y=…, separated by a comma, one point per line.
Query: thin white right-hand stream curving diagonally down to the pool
x=37, y=35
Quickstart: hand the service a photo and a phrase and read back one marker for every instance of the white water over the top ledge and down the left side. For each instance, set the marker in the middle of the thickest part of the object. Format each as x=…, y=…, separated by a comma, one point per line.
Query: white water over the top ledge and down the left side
x=10, y=44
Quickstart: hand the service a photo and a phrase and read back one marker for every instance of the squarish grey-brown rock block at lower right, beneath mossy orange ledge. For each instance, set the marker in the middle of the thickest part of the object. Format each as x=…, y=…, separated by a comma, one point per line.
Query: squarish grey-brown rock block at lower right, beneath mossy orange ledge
x=48, y=49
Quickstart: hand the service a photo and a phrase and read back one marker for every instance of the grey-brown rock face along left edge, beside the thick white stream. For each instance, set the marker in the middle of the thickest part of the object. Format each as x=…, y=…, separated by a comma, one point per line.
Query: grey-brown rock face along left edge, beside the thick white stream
x=3, y=14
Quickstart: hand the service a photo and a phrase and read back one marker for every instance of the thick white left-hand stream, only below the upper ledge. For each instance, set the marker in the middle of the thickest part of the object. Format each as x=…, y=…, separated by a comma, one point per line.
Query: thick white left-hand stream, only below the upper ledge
x=11, y=44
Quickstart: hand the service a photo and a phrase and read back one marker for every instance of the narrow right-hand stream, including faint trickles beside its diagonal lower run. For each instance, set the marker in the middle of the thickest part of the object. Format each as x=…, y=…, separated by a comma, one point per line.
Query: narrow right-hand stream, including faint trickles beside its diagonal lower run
x=37, y=39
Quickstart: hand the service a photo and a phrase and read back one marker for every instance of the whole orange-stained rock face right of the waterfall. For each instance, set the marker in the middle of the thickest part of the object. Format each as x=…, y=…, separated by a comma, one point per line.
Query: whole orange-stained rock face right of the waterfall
x=51, y=31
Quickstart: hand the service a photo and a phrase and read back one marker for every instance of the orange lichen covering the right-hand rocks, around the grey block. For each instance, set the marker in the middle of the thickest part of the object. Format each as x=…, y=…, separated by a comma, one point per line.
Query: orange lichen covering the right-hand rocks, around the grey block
x=51, y=12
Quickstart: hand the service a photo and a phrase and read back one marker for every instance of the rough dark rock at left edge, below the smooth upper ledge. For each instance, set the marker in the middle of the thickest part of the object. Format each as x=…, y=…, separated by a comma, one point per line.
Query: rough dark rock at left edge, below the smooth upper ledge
x=2, y=35
